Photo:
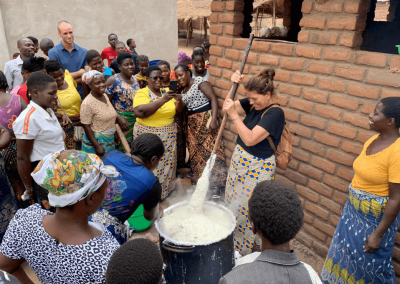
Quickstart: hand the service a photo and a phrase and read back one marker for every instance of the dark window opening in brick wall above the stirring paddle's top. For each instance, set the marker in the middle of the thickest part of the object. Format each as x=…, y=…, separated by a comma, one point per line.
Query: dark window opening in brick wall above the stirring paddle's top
x=273, y=19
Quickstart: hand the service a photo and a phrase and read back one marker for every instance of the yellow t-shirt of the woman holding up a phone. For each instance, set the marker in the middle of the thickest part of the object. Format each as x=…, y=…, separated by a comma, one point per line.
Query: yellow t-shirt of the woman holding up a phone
x=164, y=116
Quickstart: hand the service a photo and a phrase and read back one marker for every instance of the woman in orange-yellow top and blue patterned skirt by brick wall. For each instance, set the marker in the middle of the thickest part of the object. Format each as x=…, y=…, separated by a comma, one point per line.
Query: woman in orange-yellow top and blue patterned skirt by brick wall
x=362, y=246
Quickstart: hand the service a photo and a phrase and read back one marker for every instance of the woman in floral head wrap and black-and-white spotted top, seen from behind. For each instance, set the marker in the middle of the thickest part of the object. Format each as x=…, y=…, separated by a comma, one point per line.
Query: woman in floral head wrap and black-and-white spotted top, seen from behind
x=63, y=247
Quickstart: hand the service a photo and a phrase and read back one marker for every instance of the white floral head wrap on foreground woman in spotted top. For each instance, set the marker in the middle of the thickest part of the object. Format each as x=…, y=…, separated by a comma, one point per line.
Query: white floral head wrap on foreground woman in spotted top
x=72, y=179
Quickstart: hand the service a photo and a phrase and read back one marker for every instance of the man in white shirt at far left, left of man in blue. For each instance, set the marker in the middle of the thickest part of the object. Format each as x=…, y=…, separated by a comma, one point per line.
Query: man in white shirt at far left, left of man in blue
x=12, y=69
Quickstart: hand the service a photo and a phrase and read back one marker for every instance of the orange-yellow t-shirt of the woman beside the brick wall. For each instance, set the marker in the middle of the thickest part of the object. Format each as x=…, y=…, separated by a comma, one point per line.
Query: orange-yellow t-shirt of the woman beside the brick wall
x=373, y=173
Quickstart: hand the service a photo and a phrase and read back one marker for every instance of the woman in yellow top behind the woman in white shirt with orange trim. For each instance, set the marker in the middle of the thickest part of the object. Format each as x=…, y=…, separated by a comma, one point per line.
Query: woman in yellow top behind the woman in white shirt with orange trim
x=68, y=97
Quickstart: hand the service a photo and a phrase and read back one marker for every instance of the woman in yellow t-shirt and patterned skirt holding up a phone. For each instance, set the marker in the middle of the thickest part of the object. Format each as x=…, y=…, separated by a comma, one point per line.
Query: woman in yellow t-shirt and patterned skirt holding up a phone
x=155, y=109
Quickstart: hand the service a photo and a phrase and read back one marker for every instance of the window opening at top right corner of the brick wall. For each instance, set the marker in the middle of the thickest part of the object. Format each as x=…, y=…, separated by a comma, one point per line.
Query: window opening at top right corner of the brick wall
x=382, y=32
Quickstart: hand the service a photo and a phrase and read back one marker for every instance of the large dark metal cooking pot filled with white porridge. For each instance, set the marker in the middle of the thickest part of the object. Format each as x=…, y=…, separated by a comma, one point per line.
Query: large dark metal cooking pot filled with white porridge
x=192, y=263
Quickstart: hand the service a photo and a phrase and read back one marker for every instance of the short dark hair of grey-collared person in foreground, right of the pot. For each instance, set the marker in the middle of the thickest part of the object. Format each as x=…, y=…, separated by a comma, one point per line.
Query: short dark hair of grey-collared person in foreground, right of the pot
x=276, y=211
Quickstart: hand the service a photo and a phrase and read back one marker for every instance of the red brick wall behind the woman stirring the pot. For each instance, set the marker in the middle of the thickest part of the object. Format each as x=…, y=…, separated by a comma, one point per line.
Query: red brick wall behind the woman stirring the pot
x=326, y=86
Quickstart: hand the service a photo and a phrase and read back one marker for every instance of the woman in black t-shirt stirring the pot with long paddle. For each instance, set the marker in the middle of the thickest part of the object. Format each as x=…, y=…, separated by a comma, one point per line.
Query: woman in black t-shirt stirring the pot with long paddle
x=261, y=121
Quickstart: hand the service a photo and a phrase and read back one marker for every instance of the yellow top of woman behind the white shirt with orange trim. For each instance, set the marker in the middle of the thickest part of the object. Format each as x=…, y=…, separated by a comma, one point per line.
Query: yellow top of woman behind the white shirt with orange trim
x=69, y=98
